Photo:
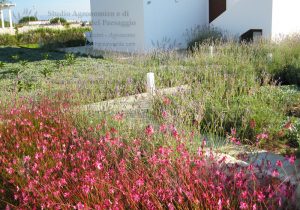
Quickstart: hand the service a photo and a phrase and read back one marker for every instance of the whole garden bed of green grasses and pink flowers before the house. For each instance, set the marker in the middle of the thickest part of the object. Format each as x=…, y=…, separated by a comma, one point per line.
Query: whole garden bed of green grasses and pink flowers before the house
x=105, y=159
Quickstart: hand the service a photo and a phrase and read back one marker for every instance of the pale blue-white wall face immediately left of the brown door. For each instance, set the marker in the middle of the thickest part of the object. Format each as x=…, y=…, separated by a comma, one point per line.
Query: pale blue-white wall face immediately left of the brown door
x=166, y=21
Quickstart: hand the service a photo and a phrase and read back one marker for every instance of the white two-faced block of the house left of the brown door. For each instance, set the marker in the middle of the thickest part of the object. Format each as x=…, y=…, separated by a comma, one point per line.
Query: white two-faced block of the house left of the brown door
x=158, y=23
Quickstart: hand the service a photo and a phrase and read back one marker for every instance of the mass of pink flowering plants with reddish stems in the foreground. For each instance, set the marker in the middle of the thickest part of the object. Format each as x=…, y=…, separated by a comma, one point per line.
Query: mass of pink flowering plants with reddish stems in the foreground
x=46, y=162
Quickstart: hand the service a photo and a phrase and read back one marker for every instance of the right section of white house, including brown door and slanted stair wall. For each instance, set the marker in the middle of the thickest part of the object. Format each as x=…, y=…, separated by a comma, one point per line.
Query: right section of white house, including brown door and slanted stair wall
x=271, y=18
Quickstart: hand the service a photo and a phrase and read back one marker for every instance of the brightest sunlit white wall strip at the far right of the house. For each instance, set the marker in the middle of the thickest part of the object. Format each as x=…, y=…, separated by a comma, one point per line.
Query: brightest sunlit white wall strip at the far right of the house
x=286, y=18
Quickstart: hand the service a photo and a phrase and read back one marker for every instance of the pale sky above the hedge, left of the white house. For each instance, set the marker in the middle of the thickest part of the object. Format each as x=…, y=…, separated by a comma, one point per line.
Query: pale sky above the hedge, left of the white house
x=45, y=9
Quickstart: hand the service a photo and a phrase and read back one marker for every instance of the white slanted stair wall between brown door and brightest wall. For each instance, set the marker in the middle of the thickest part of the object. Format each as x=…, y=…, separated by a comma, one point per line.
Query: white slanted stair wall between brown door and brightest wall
x=242, y=15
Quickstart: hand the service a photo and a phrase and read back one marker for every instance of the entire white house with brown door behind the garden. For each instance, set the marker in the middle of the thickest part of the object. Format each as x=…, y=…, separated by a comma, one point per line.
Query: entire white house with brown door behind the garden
x=143, y=25
